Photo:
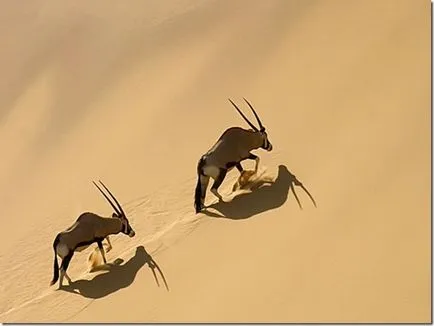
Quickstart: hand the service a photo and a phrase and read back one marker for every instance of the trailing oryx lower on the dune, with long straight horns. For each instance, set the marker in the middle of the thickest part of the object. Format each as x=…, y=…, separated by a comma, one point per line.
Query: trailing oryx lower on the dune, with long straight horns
x=88, y=228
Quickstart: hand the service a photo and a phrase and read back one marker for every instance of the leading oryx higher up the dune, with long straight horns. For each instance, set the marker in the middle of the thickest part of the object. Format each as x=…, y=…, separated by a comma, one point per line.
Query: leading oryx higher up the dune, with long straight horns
x=233, y=147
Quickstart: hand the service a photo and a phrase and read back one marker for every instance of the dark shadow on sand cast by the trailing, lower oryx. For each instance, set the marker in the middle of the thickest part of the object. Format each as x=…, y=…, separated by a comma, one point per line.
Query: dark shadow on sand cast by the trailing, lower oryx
x=117, y=277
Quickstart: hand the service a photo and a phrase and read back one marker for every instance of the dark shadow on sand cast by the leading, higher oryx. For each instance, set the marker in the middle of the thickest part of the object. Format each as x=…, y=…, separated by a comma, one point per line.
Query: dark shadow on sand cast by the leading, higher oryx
x=264, y=196
